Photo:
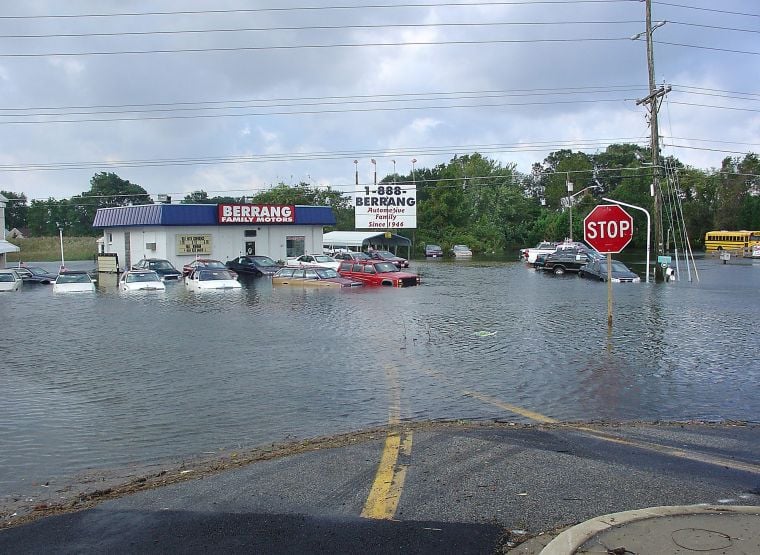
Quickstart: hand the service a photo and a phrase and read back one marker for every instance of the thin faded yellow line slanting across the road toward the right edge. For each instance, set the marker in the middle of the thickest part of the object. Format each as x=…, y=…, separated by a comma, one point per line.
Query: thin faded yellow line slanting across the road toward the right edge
x=605, y=436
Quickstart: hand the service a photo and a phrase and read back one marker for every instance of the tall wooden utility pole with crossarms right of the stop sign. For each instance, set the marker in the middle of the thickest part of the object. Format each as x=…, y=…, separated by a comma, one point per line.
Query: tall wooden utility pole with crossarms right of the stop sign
x=653, y=102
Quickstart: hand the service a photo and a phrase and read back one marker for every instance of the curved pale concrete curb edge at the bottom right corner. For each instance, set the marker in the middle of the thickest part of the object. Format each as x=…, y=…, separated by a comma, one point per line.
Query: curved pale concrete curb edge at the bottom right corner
x=567, y=542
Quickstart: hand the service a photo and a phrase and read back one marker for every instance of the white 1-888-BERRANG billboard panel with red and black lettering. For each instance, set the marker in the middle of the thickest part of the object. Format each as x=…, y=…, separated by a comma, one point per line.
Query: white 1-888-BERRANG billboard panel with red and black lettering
x=386, y=206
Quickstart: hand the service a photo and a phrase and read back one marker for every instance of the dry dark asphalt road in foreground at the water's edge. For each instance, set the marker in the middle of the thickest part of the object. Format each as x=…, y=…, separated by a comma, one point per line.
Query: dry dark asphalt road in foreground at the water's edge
x=437, y=488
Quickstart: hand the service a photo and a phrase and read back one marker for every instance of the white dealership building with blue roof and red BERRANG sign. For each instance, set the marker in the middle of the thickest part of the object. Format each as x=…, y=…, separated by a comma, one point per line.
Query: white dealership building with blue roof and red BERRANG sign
x=181, y=232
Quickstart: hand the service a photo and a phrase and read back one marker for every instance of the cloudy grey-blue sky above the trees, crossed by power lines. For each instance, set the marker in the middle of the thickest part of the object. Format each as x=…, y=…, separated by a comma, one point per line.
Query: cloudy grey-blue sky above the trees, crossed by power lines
x=232, y=97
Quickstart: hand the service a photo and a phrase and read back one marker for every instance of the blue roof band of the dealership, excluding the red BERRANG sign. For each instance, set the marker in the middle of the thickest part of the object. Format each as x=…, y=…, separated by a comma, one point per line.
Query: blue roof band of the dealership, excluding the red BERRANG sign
x=194, y=215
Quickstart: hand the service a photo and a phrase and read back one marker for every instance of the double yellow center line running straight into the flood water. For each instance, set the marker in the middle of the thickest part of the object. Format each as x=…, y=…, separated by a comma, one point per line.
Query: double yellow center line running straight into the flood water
x=386, y=489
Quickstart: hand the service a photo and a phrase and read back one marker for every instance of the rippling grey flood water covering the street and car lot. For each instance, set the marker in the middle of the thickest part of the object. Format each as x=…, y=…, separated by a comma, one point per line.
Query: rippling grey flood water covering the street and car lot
x=105, y=380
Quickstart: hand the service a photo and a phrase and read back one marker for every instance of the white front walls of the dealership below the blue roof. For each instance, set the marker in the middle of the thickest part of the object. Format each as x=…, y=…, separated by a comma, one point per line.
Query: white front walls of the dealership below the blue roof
x=227, y=241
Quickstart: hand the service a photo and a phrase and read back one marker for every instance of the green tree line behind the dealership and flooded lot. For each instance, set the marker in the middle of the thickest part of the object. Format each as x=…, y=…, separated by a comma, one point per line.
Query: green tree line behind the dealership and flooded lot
x=477, y=201
